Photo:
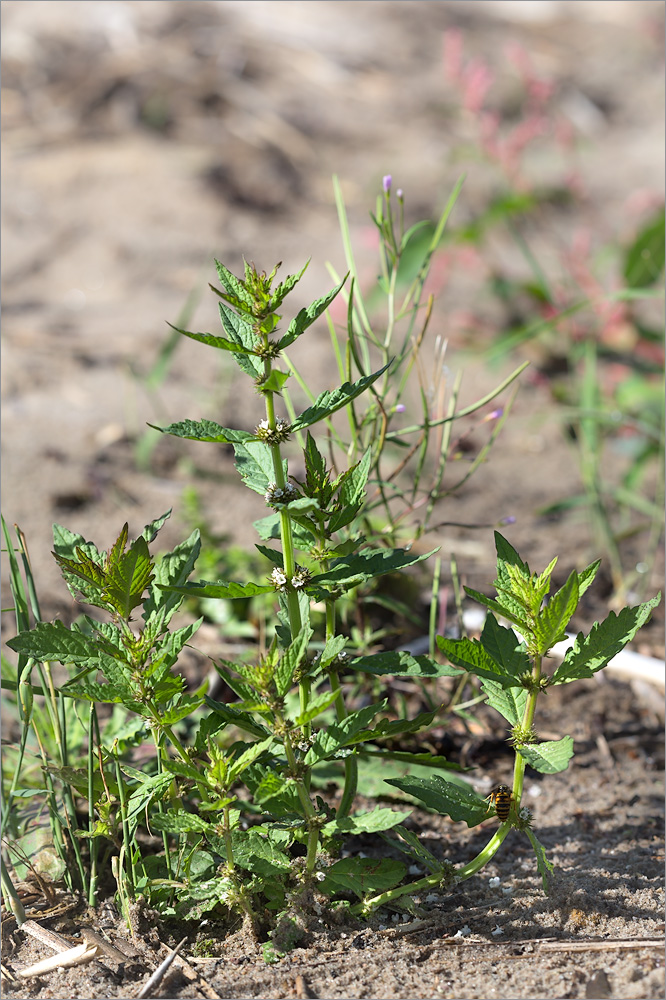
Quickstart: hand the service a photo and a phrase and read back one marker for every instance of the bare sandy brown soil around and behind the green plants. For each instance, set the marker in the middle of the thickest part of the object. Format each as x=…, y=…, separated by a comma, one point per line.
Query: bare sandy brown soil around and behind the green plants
x=142, y=139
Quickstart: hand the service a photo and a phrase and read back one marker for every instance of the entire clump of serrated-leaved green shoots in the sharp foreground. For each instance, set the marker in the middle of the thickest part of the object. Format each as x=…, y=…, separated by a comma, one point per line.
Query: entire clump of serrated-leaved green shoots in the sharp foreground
x=266, y=850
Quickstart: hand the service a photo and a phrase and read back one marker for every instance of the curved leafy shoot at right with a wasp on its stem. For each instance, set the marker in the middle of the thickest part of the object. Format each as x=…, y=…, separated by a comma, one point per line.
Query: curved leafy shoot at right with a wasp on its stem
x=509, y=662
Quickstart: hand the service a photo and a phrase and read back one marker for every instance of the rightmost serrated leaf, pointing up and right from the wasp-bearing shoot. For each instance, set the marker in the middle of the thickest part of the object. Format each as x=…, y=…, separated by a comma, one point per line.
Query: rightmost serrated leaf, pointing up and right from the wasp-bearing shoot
x=605, y=640
